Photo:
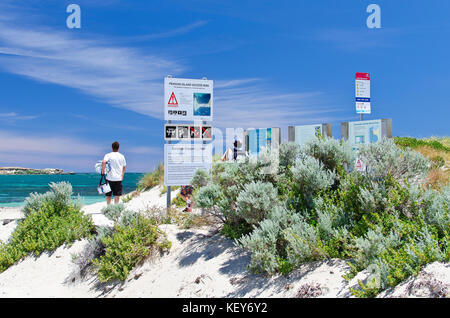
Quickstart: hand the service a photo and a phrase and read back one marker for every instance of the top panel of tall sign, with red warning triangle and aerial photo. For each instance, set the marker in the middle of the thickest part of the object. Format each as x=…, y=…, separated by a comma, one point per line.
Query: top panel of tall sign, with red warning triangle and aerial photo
x=188, y=99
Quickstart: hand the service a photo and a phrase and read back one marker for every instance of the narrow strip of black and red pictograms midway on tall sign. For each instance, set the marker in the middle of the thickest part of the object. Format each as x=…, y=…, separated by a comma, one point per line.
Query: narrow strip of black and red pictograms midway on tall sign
x=187, y=132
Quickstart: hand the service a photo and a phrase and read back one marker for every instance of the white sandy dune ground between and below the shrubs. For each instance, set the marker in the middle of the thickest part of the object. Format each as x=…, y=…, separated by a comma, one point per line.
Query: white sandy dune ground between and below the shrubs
x=201, y=263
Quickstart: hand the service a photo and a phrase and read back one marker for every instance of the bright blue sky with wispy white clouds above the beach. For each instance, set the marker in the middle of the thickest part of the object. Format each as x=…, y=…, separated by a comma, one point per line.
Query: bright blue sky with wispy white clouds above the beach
x=67, y=94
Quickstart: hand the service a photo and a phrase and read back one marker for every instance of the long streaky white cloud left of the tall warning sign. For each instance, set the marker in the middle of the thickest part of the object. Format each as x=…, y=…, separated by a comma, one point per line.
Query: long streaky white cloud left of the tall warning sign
x=121, y=76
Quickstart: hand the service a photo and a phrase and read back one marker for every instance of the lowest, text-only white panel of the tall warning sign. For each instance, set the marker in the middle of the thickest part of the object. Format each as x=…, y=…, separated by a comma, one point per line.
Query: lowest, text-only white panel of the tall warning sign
x=182, y=160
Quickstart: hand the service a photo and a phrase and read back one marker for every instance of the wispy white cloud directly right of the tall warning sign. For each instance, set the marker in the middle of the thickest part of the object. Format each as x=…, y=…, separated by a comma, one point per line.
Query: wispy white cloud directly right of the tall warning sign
x=256, y=105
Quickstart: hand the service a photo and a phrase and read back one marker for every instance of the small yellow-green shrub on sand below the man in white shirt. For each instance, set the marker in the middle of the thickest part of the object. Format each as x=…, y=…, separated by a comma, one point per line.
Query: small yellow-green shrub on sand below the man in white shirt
x=127, y=247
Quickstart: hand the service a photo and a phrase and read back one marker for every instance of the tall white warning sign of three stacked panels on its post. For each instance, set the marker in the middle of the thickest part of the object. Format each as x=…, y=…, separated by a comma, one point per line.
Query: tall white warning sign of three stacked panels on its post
x=188, y=100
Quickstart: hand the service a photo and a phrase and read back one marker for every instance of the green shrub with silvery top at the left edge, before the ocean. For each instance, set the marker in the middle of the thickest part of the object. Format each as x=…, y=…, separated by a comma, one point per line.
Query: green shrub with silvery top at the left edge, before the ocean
x=52, y=220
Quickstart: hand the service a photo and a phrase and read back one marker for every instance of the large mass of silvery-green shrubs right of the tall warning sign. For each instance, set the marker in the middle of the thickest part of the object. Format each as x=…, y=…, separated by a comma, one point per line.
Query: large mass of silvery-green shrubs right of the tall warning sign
x=384, y=221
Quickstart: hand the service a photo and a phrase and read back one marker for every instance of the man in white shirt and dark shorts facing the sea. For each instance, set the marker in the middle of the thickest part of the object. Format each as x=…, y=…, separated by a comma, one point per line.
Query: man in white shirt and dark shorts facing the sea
x=115, y=175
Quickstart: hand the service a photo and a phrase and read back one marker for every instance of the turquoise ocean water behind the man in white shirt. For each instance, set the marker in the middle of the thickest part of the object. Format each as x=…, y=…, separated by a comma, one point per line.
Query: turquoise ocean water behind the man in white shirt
x=15, y=188
